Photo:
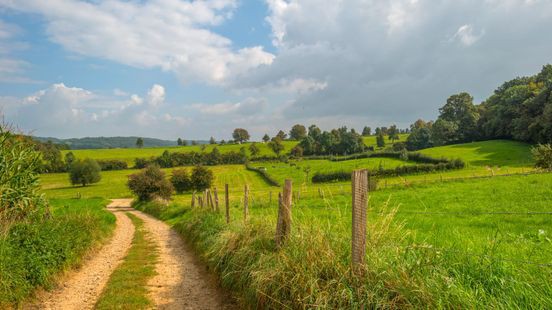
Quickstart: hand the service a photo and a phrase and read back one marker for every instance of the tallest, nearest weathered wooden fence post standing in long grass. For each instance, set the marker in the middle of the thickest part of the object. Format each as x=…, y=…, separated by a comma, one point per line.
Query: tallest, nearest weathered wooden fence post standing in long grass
x=360, y=204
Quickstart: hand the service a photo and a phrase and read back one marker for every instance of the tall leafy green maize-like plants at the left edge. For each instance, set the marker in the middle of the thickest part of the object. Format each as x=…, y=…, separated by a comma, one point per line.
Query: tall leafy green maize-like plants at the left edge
x=19, y=179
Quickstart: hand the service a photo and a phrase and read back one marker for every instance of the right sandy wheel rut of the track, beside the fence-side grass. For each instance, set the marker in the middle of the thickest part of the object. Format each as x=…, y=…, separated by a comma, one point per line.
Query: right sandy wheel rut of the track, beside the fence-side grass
x=181, y=282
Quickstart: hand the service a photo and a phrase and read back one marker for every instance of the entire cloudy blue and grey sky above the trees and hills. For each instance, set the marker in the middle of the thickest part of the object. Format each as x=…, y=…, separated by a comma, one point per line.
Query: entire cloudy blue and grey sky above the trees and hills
x=195, y=69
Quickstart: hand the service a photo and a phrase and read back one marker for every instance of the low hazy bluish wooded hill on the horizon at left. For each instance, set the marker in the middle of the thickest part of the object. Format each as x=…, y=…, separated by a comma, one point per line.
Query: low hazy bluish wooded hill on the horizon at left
x=109, y=142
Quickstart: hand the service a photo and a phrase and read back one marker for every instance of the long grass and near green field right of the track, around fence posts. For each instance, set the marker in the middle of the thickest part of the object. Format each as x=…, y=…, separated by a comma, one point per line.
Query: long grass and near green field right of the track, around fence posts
x=466, y=258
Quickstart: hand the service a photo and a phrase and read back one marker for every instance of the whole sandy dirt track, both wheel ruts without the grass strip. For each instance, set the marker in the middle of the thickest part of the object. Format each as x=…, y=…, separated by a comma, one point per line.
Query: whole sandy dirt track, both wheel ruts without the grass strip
x=181, y=281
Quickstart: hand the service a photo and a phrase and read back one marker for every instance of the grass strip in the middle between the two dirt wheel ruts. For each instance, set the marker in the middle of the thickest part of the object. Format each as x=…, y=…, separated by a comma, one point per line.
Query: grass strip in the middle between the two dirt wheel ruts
x=126, y=288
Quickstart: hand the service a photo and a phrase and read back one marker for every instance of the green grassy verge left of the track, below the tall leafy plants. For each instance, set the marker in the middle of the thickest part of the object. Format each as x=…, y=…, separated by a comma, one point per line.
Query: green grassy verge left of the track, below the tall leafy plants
x=34, y=252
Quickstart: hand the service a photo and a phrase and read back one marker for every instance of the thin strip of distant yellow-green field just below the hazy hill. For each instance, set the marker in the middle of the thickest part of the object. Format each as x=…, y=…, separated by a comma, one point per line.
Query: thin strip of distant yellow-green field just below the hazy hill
x=130, y=154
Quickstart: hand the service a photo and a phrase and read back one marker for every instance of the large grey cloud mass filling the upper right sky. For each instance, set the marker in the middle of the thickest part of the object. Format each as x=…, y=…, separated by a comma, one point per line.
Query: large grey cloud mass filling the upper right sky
x=395, y=61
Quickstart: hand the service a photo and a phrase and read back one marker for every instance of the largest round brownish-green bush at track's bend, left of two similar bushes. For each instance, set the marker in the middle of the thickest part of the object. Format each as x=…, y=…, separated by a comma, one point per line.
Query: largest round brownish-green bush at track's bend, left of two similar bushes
x=150, y=183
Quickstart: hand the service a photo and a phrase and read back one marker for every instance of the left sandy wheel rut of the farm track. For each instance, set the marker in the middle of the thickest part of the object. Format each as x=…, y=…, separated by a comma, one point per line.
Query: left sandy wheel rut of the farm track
x=82, y=289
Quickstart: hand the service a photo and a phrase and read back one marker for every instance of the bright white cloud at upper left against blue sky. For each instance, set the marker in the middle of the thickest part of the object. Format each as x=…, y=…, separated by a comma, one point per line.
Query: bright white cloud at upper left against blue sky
x=172, y=35
